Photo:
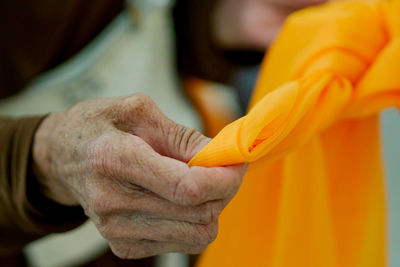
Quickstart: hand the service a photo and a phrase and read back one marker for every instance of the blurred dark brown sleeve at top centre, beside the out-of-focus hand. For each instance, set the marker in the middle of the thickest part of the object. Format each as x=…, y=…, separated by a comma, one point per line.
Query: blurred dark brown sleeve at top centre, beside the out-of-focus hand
x=197, y=53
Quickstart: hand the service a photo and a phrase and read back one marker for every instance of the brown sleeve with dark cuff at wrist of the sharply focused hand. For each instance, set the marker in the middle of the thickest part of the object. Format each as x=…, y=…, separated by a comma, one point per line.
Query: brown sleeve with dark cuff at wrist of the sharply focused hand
x=26, y=215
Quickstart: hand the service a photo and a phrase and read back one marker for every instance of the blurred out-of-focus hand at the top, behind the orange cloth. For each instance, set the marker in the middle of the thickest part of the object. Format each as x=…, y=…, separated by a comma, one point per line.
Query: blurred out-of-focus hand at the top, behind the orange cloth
x=252, y=24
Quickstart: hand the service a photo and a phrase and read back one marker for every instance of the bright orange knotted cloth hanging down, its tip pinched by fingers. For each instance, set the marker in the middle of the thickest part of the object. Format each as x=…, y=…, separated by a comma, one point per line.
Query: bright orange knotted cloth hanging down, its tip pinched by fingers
x=314, y=191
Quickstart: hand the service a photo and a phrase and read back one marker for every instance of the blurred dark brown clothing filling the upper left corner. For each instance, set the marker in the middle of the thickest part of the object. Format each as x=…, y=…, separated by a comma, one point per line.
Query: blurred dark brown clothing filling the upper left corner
x=37, y=35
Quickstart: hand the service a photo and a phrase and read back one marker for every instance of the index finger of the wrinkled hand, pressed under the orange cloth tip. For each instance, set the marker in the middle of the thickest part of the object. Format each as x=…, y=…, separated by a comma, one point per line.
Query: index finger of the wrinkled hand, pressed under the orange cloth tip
x=137, y=163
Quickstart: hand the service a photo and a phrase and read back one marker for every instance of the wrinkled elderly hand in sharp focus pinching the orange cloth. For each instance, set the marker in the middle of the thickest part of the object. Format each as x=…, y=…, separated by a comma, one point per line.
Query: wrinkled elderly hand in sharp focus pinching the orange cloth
x=125, y=163
